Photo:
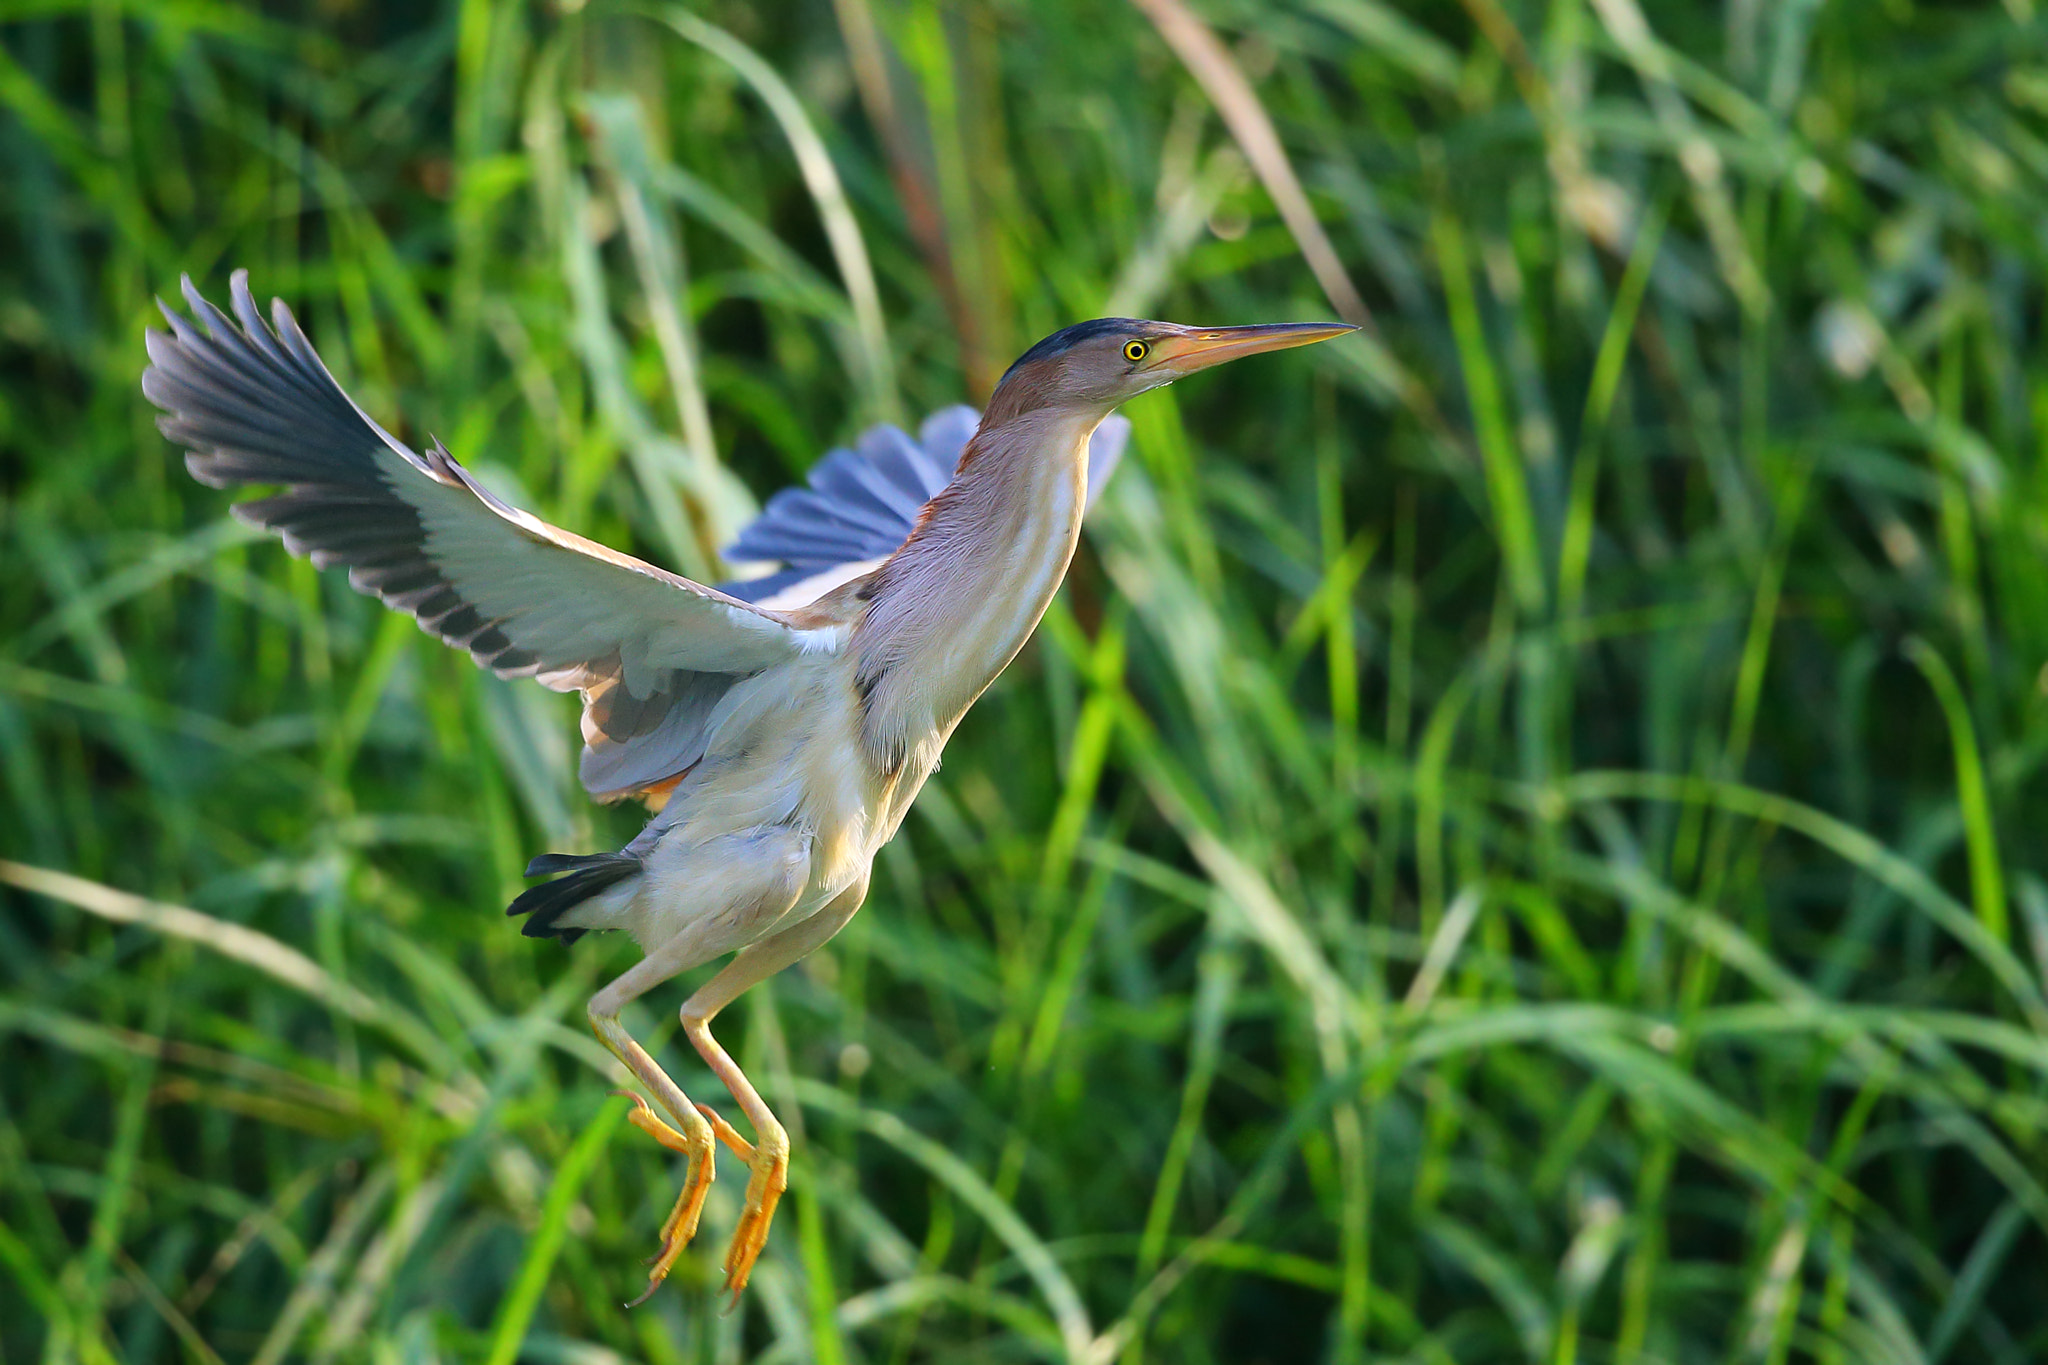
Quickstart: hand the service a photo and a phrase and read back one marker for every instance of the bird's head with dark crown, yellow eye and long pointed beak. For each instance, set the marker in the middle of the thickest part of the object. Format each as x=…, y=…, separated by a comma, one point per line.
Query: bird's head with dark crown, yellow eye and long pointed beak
x=1103, y=363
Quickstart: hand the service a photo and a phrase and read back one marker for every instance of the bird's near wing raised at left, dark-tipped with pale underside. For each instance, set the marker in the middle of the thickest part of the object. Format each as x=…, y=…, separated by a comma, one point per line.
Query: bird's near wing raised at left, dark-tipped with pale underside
x=650, y=652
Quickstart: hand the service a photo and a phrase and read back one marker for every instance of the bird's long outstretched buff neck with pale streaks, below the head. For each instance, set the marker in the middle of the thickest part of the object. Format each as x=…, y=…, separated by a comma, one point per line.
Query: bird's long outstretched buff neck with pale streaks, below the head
x=955, y=605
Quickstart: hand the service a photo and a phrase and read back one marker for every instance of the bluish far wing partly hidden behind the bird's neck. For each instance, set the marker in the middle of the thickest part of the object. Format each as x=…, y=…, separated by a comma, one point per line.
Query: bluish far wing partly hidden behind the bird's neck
x=861, y=504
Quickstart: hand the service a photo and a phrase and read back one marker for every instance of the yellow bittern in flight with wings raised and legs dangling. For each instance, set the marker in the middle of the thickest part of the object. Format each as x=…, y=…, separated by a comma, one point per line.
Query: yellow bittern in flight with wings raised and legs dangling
x=781, y=728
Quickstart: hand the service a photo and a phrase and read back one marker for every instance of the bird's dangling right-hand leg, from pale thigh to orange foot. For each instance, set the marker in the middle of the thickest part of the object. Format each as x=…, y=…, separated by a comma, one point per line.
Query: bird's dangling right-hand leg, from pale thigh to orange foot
x=769, y=1153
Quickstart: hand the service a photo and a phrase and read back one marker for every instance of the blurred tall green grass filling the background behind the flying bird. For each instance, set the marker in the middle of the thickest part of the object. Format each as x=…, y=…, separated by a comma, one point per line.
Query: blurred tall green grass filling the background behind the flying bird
x=1519, y=842
